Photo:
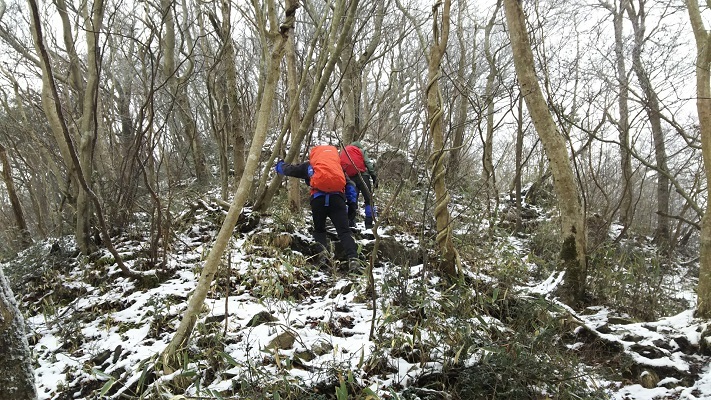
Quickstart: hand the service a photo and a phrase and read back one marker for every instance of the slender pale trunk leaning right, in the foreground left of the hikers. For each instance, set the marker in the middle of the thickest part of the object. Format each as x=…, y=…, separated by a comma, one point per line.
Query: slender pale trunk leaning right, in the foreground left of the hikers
x=170, y=357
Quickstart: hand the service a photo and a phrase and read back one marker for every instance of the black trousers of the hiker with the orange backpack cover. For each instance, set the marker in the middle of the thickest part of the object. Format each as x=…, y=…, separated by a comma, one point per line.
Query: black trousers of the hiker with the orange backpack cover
x=337, y=211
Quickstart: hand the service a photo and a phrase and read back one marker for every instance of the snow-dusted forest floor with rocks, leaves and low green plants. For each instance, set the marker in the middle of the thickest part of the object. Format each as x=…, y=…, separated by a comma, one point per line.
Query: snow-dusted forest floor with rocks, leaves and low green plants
x=275, y=326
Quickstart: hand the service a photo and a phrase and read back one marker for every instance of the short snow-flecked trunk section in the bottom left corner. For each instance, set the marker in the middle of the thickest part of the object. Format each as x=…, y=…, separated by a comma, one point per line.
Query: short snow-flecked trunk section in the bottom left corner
x=17, y=378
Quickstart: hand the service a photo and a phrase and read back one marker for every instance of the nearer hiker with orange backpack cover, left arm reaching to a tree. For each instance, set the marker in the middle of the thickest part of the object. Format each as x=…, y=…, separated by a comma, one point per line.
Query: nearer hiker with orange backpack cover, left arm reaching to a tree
x=333, y=195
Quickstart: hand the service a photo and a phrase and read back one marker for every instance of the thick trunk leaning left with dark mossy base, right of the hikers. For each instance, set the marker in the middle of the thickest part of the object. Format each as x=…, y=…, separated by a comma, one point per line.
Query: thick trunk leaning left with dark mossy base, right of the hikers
x=572, y=254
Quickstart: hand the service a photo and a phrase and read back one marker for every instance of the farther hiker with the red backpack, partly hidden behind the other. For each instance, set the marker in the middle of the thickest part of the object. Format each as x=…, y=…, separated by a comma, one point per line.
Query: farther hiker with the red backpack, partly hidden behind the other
x=360, y=169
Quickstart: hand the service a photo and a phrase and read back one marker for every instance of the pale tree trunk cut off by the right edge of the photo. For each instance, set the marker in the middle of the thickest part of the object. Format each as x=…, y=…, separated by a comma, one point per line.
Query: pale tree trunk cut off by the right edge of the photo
x=703, y=108
